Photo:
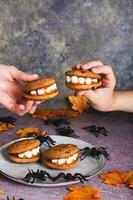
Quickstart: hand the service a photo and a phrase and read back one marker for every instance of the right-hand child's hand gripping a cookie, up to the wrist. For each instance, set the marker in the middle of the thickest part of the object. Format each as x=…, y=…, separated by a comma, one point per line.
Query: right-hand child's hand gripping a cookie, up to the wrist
x=101, y=98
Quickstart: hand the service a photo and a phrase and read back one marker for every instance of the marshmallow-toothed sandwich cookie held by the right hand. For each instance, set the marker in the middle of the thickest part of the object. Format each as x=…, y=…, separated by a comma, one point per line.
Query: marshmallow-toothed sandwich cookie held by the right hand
x=78, y=79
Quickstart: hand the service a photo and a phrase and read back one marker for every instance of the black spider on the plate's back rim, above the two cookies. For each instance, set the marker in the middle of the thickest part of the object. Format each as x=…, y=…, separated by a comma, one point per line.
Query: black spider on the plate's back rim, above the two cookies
x=43, y=138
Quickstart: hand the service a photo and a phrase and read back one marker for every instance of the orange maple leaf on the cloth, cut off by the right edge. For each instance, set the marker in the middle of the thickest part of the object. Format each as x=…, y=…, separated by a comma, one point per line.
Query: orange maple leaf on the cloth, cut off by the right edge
x=117, y=178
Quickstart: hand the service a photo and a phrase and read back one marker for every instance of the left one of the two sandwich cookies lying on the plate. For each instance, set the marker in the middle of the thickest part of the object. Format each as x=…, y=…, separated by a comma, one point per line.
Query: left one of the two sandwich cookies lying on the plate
x=24, y=151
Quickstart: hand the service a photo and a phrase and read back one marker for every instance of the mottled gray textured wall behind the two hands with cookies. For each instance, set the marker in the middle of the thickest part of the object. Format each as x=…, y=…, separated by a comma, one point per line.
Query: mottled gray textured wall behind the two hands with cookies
x=50, y=36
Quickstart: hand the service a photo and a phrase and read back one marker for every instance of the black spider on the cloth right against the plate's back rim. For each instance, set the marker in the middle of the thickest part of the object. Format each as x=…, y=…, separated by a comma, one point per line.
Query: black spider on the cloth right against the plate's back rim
x=66, y=131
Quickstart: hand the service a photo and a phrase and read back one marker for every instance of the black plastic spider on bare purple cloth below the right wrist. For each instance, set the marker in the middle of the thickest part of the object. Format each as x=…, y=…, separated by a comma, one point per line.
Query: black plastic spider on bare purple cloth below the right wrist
x=96, y=130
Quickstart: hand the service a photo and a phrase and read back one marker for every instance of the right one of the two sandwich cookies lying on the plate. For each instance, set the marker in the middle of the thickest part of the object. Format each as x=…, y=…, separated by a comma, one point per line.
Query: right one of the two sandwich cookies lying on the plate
x=63, y=156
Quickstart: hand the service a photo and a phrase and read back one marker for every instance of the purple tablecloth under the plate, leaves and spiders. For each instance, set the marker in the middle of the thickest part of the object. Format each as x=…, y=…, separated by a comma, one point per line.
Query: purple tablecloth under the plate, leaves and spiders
x=119, y=141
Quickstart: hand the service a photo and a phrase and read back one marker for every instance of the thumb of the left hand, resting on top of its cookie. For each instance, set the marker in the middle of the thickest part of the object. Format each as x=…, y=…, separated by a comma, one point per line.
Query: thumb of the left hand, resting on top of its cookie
x=22, y=76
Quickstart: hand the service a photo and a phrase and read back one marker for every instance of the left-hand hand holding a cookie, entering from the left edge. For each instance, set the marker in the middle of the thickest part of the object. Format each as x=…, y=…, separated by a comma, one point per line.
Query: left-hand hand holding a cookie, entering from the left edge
x=11, y=84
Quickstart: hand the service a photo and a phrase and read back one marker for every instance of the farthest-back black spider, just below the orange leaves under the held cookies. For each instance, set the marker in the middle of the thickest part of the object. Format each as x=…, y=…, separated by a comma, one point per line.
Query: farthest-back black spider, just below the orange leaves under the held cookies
x=56, y=121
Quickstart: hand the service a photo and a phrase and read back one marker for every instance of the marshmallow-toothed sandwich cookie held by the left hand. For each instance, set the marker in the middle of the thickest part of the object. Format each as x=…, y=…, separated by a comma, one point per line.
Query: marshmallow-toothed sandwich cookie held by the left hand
x=40, y=89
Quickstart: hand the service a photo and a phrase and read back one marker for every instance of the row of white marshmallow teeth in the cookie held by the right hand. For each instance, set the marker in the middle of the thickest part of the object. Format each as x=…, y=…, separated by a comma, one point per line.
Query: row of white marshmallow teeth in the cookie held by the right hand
x=80, y=80
